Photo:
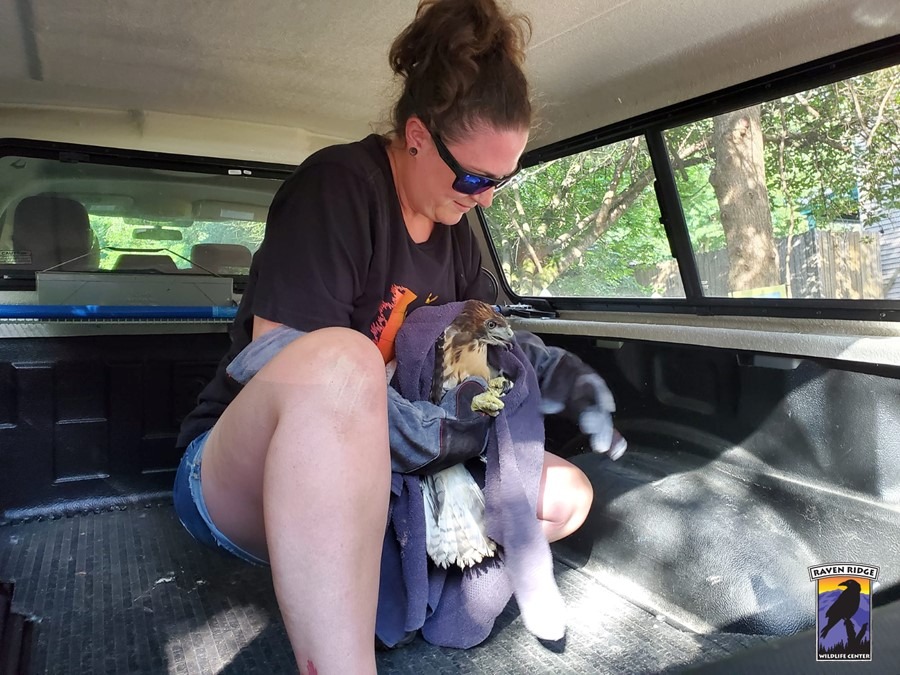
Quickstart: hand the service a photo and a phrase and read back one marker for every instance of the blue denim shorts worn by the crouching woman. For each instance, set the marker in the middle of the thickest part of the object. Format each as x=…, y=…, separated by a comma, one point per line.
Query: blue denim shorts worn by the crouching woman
x=191, y=508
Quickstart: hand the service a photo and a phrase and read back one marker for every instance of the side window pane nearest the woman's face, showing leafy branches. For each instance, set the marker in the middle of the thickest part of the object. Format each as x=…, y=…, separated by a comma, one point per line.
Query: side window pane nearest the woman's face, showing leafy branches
x=584, y=225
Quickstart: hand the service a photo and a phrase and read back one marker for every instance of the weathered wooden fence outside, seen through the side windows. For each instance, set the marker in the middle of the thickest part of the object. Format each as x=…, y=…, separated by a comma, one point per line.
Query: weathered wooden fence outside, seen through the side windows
x=823, y=264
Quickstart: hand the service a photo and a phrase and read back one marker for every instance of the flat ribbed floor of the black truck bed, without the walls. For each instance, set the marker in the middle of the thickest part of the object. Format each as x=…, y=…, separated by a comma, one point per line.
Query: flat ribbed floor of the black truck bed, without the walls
x=128, y=590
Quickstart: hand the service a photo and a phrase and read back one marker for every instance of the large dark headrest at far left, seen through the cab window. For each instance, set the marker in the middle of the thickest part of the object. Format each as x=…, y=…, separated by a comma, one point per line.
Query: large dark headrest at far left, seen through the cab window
x=48, y=230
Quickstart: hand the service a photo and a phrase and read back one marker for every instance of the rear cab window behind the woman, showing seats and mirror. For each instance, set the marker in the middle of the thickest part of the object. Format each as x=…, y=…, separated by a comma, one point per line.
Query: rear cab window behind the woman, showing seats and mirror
x=83, y=216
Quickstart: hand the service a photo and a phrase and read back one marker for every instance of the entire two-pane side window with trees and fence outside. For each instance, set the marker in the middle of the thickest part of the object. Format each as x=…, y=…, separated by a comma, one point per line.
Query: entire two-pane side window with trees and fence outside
x=797, y=197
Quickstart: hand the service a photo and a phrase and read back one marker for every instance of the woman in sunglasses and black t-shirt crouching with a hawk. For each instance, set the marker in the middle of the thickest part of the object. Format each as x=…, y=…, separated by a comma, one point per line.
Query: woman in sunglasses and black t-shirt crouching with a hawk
x=296, y=464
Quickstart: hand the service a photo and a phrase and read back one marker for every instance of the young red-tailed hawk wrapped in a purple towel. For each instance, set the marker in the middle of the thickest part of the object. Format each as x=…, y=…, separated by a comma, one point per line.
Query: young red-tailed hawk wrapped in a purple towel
x=454, y=504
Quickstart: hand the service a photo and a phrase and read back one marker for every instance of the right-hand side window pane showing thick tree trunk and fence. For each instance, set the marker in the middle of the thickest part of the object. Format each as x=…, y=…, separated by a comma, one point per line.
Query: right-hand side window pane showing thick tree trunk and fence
x=797, y=197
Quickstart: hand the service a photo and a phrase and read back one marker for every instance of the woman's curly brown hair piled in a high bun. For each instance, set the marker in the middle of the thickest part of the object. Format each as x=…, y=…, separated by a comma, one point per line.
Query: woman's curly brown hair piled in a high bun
x=461, y=62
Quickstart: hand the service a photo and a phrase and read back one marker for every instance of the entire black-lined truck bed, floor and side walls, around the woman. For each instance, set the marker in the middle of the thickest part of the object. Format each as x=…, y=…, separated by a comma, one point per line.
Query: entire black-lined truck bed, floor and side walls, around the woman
x=737, y=478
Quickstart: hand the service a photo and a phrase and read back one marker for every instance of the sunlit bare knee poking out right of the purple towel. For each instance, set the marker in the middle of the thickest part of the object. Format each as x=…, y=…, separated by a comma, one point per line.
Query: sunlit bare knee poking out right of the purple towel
x=565, y=497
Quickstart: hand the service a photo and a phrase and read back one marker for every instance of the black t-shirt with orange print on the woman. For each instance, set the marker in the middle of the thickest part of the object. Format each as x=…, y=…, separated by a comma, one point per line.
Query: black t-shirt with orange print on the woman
x=337, y=253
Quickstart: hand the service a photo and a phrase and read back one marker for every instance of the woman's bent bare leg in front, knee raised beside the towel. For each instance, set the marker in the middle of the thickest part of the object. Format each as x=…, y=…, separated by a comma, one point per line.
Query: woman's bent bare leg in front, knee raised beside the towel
x=297, y=470
